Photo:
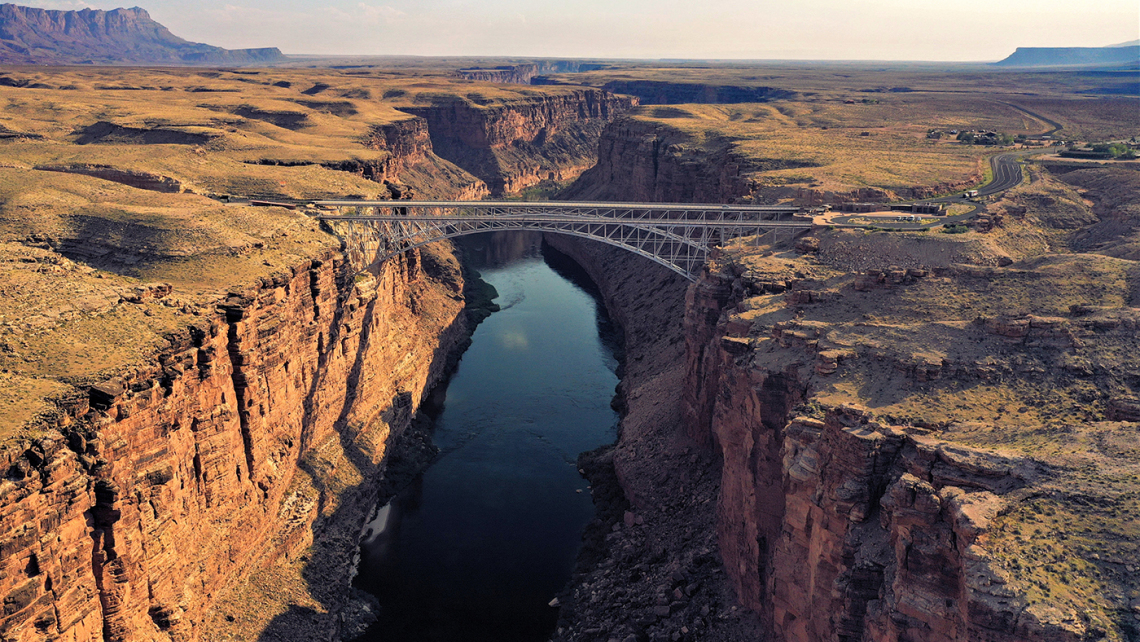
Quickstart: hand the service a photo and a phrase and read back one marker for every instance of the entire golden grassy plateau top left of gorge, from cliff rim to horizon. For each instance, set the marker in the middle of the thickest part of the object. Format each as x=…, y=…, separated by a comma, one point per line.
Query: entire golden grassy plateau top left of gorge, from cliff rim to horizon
x=75, y=248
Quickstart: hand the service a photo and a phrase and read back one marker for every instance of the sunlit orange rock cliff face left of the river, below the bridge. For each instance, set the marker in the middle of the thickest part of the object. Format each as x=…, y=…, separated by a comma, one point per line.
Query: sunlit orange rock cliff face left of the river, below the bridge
x=166, y=485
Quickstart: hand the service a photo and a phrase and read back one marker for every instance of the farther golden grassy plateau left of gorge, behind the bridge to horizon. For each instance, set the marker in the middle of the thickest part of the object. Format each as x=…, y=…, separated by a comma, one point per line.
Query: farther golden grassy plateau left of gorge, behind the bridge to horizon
x=229, y=120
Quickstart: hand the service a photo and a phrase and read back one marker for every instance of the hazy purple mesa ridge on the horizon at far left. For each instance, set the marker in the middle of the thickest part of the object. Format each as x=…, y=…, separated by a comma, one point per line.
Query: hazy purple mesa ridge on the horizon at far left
x=30, y=36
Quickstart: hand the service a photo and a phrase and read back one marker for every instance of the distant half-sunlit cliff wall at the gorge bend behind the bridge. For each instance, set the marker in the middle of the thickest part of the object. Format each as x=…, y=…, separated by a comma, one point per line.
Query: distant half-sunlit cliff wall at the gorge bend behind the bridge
x=518, y=144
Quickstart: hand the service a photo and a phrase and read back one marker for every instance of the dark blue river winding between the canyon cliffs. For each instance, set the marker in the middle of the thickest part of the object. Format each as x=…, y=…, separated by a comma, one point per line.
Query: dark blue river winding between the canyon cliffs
x=481, y=543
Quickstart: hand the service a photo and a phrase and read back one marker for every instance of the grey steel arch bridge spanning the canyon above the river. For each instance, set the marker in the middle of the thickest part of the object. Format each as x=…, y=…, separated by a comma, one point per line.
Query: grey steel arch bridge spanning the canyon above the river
x=678, y=237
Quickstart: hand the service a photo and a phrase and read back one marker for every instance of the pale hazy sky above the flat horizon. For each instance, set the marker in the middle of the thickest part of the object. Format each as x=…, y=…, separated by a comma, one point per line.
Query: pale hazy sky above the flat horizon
x=895, y=30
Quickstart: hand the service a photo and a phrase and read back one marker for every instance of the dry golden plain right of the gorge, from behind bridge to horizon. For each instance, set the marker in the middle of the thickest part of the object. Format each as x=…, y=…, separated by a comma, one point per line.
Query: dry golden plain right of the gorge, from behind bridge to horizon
x=853, y=127
